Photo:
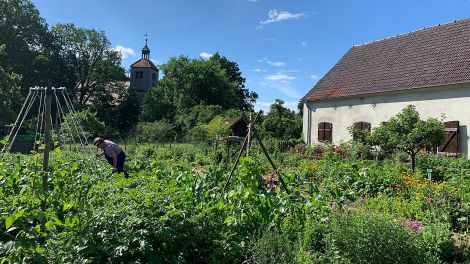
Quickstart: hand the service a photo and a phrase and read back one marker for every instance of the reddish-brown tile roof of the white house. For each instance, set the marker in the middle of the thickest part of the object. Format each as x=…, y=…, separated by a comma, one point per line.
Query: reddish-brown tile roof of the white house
x=435, y=56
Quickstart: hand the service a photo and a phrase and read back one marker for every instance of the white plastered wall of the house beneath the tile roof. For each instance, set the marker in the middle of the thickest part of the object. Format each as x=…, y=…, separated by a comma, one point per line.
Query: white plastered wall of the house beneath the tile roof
x=452, y=101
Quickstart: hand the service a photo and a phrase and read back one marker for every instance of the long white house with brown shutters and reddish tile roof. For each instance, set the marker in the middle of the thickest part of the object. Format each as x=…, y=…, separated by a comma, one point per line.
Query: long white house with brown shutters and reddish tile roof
x=428, y=68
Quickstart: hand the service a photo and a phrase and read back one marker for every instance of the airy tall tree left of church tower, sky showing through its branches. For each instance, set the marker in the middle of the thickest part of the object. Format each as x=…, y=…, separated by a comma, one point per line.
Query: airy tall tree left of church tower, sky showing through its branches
x=89, y=61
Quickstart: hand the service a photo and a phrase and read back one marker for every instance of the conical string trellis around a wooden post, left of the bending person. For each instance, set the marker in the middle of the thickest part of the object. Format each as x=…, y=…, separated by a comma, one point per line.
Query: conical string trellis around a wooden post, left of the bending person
x=72, y=133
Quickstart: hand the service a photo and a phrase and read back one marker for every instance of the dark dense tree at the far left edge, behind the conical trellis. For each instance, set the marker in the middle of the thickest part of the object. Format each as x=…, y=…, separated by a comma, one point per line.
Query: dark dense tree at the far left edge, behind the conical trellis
x=24, y=44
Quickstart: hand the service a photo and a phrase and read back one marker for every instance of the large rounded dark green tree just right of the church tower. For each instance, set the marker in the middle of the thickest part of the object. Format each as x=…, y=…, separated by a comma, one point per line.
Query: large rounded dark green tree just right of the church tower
x=190, y=82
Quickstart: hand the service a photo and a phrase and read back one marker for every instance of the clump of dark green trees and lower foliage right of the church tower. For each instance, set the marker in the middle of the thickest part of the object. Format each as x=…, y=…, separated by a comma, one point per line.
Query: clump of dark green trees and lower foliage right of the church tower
x=193, y=91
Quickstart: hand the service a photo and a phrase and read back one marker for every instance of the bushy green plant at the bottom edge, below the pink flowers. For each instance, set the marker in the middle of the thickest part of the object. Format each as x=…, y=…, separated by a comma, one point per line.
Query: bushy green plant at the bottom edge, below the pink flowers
x=361, y=237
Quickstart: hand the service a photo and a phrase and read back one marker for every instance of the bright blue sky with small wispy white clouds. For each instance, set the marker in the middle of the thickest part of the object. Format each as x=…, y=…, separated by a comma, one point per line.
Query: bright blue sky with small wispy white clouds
x=282, y=46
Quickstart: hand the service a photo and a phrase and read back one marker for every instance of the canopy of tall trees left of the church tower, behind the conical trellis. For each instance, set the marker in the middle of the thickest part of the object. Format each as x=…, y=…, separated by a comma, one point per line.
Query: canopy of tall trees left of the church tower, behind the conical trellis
x=32, y=55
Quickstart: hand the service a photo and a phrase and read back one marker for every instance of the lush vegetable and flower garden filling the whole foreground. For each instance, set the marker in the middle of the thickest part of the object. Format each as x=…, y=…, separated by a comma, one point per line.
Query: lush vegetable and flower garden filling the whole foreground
x=172, y=209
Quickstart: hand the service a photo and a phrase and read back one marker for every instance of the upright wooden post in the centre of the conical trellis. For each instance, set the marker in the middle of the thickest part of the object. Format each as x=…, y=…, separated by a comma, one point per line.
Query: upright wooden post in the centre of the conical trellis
x=47, y=148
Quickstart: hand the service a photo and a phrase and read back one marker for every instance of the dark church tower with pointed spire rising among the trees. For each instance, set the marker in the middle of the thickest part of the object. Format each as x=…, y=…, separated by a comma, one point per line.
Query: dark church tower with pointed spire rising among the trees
x=144, y=74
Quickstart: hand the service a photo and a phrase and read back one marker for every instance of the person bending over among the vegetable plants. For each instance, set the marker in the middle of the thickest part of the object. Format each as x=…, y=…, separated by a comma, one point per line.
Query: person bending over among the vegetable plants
x=113, y=154
